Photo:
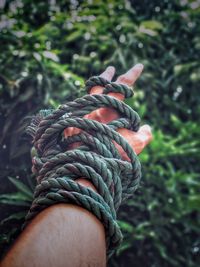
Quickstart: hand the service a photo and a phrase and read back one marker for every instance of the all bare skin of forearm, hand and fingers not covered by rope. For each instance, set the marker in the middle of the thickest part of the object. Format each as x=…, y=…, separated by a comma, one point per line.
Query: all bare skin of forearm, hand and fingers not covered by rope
x=67, y=235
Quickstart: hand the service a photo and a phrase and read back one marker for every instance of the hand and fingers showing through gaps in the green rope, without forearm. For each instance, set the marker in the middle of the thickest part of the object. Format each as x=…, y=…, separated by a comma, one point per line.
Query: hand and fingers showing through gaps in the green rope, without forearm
x=137, y=140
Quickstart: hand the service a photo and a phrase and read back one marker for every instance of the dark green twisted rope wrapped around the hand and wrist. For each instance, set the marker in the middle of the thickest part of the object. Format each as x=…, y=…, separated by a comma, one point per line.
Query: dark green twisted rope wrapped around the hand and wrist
x=57, y=166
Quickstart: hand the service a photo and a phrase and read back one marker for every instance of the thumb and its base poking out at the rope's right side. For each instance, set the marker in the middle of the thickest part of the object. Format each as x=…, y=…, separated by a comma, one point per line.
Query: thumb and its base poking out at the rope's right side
x=137, y=140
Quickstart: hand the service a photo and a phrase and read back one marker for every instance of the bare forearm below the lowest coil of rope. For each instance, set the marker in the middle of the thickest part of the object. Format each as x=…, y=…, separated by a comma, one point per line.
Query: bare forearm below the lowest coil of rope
x=61, y=235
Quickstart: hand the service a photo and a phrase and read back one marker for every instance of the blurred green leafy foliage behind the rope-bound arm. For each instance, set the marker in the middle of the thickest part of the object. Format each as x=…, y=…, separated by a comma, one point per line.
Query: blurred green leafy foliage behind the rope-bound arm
x=49, y=48
